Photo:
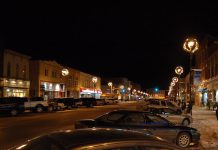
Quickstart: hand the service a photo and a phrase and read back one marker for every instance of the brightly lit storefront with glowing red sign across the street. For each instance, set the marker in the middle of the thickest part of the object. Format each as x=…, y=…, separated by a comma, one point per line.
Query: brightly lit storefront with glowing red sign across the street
x=88, y=93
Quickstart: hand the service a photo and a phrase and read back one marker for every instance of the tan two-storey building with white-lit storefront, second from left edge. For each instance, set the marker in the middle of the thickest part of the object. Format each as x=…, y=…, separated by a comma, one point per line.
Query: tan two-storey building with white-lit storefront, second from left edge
x=46, y=79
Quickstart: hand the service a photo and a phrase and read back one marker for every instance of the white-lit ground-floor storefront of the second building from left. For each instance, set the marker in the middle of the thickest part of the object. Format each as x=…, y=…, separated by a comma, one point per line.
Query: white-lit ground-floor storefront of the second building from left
x=50, y=90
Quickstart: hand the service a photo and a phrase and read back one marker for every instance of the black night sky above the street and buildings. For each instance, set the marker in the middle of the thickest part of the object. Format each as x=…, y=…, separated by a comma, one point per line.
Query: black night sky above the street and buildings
x=138, y=40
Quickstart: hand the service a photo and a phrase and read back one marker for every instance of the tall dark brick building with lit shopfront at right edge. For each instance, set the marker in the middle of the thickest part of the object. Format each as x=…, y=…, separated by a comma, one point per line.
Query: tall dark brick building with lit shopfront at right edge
x=207, y=61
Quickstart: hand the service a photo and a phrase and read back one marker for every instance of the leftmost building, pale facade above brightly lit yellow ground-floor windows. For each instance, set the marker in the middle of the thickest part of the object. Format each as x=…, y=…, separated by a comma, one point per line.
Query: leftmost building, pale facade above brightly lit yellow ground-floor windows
x=14, y=74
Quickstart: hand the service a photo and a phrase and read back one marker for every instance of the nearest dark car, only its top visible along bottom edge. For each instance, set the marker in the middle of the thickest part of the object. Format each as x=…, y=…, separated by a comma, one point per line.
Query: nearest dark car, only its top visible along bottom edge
x=97, y=139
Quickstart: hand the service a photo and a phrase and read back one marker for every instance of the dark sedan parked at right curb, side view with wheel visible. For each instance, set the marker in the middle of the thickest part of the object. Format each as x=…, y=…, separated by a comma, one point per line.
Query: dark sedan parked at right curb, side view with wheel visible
x=141, y=121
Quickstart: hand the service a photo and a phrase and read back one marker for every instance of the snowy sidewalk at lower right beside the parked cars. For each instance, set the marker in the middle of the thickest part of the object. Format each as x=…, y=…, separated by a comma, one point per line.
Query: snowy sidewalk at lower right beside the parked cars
x=205, y=121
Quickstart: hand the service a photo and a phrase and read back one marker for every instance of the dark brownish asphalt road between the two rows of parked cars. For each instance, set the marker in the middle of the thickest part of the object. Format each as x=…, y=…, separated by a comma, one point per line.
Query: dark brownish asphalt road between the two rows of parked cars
x=16, y=130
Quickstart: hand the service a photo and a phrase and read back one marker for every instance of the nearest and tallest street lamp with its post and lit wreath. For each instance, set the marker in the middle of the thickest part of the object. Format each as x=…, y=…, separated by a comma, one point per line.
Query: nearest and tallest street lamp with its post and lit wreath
x=191, y=46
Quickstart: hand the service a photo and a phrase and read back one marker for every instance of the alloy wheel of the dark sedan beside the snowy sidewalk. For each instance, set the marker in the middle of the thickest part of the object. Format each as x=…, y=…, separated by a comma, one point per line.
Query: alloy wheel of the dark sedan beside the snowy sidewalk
x=183, y=140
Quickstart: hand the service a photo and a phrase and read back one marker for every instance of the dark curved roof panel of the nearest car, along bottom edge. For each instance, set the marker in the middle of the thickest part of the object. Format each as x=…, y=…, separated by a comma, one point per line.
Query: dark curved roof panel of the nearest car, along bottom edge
x=69, y=139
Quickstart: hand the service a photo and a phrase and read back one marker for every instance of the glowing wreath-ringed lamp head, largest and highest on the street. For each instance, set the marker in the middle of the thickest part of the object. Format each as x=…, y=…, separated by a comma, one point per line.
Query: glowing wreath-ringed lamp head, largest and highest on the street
x=190, y=45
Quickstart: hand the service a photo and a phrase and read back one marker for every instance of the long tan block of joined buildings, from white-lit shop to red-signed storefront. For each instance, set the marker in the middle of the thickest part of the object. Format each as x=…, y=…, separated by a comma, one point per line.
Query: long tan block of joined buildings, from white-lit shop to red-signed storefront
x=48, y=81
